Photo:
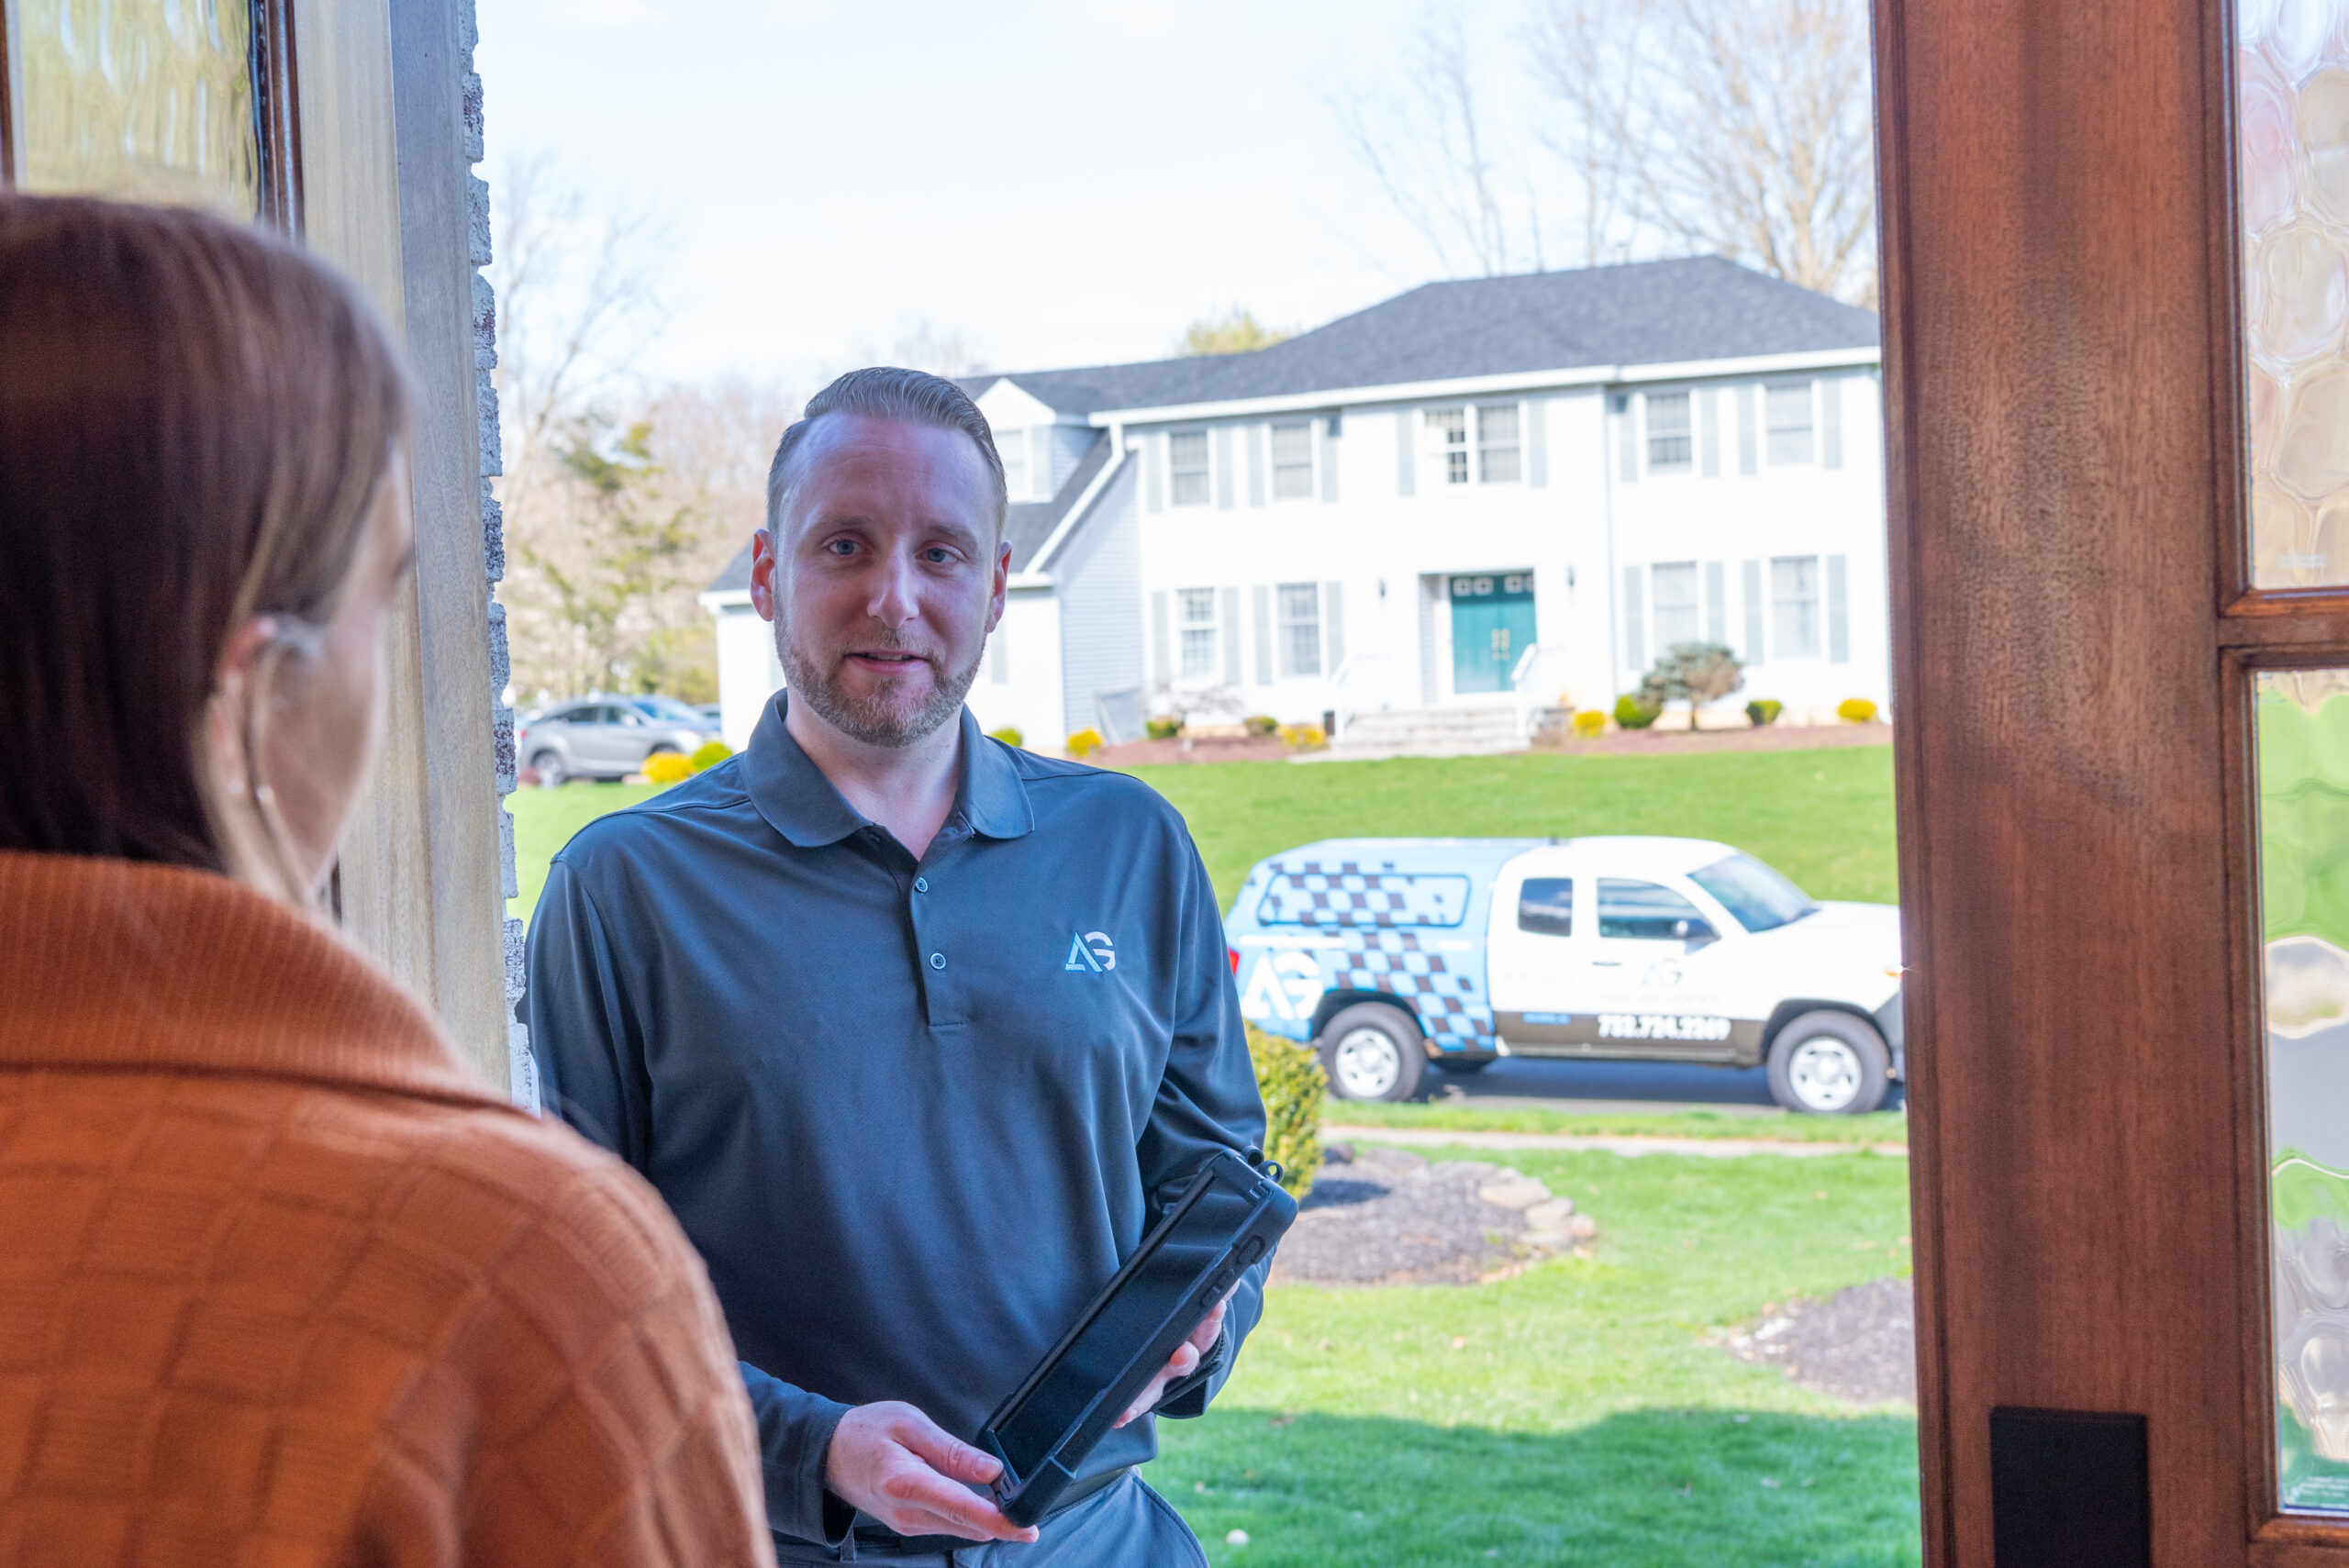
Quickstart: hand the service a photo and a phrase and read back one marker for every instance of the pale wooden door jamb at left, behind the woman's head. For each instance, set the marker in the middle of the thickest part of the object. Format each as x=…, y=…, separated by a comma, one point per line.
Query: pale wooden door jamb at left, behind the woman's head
x=365, y=147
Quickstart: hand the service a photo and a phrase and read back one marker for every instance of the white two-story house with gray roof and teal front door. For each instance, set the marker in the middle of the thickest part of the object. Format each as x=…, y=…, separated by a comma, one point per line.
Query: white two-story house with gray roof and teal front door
x=1500, y=492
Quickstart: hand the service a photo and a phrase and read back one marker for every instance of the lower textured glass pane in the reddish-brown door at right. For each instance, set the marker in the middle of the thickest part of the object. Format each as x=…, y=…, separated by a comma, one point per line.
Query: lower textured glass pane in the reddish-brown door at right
x=2306, y=938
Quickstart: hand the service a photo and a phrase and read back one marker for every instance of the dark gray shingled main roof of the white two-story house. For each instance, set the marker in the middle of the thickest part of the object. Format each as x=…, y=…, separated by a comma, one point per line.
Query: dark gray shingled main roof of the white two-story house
x=1638, y=313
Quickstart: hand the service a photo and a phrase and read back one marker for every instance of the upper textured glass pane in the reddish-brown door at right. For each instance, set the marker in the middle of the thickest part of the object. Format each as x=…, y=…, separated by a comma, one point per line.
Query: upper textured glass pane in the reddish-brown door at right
x=2294, y=116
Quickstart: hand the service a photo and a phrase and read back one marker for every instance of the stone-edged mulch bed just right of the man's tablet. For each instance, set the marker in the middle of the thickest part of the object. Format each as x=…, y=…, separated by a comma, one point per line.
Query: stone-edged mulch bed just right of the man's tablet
x=1389, y=1217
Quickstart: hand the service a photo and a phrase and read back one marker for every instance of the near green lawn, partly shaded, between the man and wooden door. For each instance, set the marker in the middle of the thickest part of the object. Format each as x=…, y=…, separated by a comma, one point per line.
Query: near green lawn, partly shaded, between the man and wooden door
x=1575, y=1414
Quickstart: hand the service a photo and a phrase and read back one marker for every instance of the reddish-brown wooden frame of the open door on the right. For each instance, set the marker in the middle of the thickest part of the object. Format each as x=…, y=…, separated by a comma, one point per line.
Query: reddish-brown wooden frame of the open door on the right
x=2075, y=642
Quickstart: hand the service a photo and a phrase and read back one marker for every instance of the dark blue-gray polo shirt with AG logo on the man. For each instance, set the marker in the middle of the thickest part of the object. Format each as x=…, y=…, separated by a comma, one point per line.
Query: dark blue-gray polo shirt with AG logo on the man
x=910, y=1114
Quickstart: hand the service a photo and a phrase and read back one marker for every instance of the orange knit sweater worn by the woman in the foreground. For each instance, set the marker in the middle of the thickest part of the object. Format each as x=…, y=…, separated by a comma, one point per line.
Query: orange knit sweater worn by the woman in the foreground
x=283, y=1285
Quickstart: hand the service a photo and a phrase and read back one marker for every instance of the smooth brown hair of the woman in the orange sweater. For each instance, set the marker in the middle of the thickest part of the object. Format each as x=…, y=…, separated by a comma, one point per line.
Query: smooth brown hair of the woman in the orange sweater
x=194, y=426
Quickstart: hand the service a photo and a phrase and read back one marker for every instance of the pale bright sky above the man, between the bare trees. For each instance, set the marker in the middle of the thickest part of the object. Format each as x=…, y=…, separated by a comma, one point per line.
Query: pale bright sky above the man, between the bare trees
x=1068, y=182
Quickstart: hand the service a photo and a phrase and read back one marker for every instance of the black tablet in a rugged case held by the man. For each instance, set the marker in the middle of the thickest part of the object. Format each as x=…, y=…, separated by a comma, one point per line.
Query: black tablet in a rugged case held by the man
x=1230, y=1215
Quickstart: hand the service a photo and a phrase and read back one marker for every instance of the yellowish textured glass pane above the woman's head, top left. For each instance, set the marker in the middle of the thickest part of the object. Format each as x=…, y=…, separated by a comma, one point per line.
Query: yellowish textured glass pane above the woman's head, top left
x=147, y=100
